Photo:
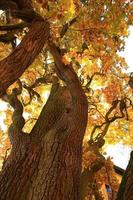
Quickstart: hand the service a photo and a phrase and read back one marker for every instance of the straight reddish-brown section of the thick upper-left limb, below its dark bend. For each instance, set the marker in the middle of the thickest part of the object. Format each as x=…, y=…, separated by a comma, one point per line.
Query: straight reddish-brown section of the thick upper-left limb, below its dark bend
x=12, y=67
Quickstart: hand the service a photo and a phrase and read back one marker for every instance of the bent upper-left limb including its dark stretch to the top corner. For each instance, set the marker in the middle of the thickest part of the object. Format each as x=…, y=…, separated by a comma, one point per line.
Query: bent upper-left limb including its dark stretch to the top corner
x=12, y=67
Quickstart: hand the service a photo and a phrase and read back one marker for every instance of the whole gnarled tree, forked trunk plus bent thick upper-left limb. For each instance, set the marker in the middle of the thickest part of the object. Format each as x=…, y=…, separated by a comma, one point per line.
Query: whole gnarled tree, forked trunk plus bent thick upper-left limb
x=46, y=164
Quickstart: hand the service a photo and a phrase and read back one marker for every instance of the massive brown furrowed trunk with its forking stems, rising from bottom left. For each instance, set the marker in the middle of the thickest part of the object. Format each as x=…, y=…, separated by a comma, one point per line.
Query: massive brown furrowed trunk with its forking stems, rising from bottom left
x=46, y=164
